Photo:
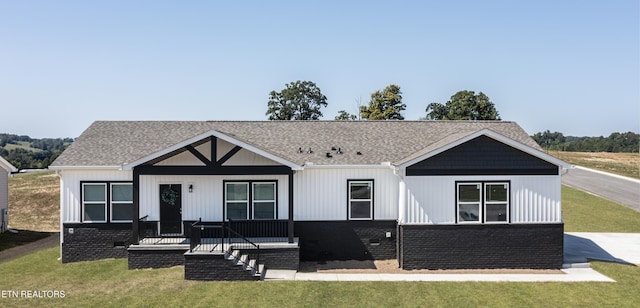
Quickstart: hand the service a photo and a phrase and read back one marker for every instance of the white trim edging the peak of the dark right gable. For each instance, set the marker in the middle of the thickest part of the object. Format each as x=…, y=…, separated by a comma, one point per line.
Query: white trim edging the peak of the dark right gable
x=493, y=135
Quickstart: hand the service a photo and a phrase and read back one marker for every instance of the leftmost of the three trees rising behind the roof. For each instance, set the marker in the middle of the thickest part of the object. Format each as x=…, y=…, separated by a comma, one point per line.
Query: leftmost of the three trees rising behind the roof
x=300, y=100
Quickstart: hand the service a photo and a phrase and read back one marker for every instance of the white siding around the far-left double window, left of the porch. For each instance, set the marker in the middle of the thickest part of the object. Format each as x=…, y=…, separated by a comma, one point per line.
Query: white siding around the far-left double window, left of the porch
x=70, y=203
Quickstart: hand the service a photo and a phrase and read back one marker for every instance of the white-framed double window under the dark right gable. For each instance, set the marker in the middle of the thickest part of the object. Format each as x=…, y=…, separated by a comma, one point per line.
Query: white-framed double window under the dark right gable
x=482, y=213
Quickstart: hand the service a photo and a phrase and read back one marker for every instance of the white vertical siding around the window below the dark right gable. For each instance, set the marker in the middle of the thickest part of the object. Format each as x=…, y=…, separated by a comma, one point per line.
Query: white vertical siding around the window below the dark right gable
x=432, y=199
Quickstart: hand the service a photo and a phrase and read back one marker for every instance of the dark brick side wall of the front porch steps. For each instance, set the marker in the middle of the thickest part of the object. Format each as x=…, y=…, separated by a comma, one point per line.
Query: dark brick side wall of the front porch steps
x=213, y=267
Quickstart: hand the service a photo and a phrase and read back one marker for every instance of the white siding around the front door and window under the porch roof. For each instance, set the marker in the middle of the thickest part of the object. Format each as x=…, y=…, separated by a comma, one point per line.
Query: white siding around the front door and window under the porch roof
x=206, y=201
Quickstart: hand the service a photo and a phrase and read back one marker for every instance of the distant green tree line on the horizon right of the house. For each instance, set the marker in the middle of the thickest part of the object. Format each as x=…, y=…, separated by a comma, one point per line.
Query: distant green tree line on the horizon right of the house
x=628, y=142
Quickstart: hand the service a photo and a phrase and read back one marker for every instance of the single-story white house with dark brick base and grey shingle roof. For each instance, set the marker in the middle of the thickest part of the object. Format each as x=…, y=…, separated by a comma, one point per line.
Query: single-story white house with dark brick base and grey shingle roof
x=430, y=194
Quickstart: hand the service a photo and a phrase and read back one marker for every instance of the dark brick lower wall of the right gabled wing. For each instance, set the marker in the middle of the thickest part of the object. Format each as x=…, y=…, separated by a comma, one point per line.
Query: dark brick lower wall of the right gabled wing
x=532, y=246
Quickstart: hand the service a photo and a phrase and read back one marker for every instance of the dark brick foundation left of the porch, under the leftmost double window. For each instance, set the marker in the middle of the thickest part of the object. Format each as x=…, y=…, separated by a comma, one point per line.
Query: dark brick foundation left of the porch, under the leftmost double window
x=88, y=242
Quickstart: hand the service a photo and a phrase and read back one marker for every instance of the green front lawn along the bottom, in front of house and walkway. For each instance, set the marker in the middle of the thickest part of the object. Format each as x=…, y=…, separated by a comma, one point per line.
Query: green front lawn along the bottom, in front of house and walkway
x=109, y=283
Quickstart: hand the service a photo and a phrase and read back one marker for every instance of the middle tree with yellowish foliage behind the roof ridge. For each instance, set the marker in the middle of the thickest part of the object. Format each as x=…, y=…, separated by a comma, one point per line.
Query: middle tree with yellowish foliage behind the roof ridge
x=384, y=105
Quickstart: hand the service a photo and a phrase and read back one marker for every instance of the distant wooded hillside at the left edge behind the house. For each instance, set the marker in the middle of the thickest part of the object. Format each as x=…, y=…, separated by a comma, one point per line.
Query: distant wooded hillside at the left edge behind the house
x=39, y=153
